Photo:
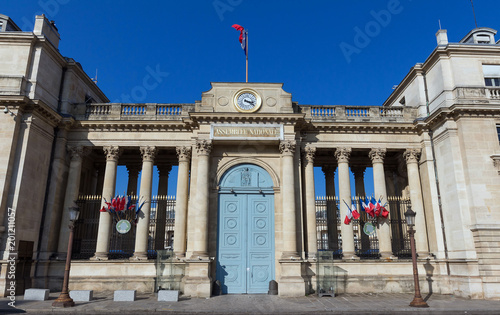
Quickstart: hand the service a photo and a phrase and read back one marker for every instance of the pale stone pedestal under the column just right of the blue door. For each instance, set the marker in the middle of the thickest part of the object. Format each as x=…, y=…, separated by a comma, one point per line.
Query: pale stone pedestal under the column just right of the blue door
x=291, y=282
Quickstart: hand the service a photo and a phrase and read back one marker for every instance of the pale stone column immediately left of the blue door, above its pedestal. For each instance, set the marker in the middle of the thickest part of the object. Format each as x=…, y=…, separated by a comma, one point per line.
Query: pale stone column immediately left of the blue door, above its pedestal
x=201, y=205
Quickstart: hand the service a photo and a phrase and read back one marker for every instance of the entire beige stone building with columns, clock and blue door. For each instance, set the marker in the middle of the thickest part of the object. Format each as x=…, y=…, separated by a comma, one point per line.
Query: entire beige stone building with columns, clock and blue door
x=245, y=209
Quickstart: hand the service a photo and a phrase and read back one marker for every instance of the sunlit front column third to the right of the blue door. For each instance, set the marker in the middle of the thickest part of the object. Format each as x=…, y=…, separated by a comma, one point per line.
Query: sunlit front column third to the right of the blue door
x=343, y=155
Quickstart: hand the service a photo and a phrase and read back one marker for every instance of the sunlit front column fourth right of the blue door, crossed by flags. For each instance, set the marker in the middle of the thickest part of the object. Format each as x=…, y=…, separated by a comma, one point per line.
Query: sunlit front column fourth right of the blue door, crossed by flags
x=384, y=232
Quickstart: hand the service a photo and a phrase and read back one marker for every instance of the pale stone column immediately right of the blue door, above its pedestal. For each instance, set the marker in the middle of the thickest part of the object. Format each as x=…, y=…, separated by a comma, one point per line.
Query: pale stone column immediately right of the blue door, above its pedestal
x=287, y=149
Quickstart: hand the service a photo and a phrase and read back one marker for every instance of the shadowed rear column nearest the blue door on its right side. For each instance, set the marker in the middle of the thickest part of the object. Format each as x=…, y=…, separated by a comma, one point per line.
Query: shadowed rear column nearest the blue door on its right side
x=331, y=207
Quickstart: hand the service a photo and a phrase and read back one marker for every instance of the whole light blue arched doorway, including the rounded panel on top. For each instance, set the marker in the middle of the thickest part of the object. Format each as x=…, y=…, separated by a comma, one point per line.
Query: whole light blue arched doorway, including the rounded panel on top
x=245, y=238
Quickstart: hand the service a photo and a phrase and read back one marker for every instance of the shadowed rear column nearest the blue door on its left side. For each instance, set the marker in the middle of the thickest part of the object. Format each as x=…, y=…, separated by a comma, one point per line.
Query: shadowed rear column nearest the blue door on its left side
x=161, y=206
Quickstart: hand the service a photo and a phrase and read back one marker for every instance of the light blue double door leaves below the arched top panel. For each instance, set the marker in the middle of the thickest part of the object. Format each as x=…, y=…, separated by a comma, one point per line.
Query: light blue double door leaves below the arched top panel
x=246, y=242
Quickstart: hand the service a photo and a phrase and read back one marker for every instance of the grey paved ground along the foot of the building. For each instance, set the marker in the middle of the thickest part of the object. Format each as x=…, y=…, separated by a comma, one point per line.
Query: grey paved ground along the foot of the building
x=261, y=304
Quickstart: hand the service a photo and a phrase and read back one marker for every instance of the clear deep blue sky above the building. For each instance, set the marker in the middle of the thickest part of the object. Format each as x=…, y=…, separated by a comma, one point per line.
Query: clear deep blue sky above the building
x=299, y=43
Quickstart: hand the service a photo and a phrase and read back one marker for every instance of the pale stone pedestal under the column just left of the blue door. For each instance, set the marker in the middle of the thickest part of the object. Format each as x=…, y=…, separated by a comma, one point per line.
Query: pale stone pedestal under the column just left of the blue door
x=197, y=282
